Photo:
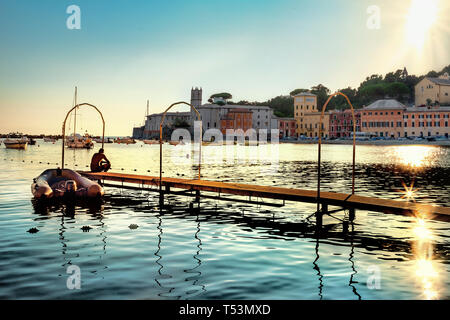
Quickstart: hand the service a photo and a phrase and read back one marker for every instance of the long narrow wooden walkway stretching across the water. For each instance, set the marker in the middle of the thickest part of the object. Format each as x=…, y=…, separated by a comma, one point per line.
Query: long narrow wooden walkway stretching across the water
x=268, y=192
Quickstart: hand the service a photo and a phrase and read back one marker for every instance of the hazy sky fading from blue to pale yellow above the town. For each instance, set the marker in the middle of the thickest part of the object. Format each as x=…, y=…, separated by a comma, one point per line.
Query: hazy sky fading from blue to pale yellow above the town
x=129, y=51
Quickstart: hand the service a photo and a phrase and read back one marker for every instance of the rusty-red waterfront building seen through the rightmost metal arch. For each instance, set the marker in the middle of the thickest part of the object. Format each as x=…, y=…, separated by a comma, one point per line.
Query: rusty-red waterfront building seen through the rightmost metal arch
x=341, y=123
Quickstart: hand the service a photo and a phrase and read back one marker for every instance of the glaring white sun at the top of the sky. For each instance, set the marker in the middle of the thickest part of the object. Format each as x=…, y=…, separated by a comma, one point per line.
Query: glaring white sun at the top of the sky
x=421, y=16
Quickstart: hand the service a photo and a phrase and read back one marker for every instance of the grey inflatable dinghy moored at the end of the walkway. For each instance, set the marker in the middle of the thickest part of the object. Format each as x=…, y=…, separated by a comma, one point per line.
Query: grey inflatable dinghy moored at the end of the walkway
x=57, y=183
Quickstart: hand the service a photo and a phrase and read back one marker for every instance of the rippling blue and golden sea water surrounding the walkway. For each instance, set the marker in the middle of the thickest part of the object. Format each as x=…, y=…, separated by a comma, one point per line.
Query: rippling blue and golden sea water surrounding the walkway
x=227, y=250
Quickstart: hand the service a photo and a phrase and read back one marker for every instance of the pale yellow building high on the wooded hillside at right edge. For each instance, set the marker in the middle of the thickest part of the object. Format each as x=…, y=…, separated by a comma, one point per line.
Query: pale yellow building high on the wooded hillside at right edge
x=433, y=91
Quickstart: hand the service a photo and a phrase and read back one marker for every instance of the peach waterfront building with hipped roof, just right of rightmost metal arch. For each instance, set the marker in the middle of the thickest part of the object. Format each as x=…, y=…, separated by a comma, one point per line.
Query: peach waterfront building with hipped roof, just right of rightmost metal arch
x=383, y=118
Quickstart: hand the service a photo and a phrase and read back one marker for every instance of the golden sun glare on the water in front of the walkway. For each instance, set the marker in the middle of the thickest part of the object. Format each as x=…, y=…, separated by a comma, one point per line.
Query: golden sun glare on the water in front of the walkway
x=425, y=270
